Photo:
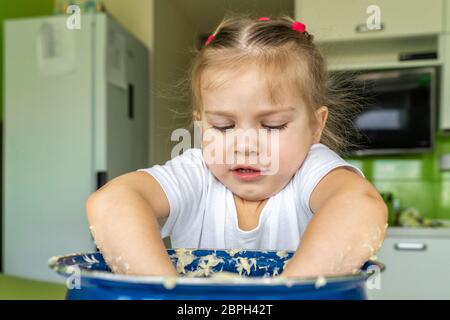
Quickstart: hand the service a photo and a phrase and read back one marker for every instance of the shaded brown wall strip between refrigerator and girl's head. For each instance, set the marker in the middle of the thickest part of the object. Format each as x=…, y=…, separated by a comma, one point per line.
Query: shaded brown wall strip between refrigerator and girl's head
x=174, y=36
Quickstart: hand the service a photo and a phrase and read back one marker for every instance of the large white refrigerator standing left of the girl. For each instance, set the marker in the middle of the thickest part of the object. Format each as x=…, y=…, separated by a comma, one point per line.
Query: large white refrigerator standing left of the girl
x=75, y=115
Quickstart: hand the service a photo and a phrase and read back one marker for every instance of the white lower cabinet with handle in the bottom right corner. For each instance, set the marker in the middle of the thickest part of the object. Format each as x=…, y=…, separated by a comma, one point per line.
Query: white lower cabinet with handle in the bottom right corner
x=416, y=267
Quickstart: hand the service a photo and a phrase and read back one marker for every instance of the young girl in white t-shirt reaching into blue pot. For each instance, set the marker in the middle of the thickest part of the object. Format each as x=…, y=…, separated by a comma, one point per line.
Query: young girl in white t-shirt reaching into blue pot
x=263, y=75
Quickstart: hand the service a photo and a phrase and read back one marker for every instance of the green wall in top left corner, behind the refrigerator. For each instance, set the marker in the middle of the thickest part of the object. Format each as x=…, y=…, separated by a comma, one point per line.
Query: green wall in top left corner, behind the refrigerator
x=17, y=9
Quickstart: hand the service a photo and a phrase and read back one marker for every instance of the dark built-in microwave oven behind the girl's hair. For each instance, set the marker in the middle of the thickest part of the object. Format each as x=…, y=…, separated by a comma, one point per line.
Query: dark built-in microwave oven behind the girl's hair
x=397, y=114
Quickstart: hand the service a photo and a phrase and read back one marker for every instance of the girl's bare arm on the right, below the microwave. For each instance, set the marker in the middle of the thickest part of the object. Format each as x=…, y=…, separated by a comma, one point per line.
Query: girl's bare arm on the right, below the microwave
x=348, y=227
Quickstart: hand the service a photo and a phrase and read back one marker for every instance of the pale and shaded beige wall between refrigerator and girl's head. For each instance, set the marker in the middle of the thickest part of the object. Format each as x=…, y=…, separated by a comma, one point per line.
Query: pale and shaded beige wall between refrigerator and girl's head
x=168, y=33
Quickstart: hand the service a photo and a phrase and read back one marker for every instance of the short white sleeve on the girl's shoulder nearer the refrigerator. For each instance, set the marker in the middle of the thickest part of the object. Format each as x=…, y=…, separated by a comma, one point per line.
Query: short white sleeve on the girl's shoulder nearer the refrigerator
x=183, y=180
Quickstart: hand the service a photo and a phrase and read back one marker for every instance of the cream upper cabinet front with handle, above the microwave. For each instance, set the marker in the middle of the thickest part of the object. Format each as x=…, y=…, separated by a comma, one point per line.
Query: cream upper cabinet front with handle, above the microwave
x=347, y=19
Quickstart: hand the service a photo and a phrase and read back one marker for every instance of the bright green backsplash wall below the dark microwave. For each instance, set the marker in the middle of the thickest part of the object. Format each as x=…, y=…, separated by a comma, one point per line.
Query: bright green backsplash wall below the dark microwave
x=415, y=180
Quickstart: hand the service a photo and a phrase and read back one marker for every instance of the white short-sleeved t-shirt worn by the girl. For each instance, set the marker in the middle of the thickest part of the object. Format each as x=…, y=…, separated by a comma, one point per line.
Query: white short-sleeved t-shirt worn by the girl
x=203, y=212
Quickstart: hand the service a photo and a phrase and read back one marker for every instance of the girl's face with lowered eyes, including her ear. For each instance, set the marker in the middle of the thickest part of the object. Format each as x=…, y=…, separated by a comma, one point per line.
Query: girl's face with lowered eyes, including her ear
x=241, y=127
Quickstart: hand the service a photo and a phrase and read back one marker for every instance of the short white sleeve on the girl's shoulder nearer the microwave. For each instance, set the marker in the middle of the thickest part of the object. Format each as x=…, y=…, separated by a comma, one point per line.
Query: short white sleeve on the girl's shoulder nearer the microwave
x=317, y=164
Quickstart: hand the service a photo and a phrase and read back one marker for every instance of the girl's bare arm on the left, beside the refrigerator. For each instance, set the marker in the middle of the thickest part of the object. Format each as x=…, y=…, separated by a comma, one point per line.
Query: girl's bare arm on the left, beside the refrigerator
x=123, y=217
